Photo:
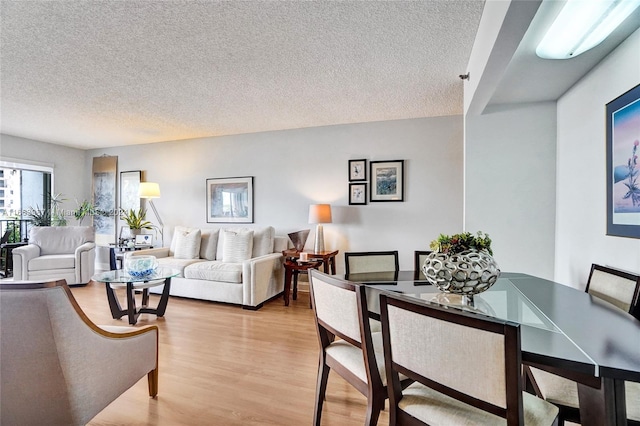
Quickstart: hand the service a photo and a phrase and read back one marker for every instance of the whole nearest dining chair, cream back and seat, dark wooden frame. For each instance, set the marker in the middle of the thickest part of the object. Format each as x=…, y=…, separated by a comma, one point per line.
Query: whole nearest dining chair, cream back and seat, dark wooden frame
x=466, y=368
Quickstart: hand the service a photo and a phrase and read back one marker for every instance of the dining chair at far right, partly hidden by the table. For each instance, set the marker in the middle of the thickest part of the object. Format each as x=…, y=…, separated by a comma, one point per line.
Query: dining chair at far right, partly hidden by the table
x=621, y=289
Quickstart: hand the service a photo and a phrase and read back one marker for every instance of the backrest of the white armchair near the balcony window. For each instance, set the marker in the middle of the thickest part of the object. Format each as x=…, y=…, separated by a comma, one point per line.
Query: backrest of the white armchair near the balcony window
x=60, y=239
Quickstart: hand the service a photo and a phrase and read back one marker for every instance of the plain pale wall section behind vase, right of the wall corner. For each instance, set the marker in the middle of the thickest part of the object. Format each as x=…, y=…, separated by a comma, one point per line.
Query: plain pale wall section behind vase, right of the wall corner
x=510, y=182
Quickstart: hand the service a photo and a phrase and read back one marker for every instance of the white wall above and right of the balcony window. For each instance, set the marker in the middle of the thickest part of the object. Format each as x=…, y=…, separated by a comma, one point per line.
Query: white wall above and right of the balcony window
x=68, y=166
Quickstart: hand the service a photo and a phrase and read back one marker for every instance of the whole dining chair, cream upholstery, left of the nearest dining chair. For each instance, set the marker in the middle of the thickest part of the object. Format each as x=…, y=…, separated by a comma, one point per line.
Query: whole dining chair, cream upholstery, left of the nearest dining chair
x=347, y=345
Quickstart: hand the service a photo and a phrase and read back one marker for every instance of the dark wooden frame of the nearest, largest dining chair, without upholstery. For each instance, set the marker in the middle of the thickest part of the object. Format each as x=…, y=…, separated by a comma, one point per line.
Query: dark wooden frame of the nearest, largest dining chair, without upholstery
x=513, y=413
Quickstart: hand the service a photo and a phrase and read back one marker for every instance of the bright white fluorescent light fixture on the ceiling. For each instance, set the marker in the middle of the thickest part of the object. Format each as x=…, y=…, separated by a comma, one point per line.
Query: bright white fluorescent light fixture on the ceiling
x=582, y=25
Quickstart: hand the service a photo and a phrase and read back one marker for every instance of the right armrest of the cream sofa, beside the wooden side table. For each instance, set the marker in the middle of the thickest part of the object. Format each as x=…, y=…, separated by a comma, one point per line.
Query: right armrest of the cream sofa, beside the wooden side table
x=257, y=274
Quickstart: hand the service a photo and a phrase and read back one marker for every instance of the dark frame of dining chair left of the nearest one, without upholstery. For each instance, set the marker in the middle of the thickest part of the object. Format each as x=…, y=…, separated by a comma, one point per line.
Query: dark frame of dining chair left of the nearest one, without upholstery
x=373, y=389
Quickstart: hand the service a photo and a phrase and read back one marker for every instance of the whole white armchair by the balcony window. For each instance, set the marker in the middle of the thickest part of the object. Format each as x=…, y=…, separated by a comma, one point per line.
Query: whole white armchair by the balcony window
x=56, y=252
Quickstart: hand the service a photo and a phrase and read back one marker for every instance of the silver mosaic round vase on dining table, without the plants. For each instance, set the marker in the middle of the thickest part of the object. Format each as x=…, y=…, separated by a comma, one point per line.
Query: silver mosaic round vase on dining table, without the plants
x=469, y=272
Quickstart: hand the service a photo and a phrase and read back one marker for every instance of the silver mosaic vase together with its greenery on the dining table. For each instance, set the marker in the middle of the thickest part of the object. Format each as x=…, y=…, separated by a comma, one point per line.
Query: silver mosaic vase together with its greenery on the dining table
x=461, y=263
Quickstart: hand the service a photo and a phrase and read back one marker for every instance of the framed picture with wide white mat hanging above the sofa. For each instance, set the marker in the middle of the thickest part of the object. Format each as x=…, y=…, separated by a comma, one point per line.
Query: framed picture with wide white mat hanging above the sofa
x=230, y=200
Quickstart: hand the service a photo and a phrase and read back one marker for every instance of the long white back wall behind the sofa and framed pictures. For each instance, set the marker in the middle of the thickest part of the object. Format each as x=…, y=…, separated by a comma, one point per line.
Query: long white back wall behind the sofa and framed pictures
x=295, y=168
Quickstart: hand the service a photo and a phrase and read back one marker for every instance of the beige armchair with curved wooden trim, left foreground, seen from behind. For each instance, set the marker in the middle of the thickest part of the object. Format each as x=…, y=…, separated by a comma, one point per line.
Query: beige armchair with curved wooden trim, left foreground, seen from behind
x=58, y=367
